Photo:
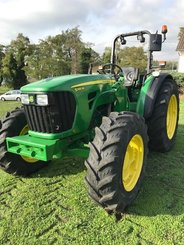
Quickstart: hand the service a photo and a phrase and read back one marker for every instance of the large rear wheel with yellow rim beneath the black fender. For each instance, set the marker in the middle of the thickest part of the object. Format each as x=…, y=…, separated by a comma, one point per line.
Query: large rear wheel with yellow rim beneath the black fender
x=162, y=126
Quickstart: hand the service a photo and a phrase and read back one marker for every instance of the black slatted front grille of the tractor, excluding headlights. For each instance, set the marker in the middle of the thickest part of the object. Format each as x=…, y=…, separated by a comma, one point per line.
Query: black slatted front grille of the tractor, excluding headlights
x=56, y=117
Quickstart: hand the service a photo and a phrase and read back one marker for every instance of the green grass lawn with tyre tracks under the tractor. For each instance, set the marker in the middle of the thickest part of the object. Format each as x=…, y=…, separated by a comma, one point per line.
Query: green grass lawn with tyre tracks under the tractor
x=52, y=206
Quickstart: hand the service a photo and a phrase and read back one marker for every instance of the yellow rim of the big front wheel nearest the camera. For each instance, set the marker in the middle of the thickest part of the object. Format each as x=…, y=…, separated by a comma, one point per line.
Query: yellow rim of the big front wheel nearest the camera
x=133, y=162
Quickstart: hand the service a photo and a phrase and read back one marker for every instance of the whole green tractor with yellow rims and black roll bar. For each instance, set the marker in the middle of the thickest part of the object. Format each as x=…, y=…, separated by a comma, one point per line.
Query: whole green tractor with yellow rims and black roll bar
x=120, y=112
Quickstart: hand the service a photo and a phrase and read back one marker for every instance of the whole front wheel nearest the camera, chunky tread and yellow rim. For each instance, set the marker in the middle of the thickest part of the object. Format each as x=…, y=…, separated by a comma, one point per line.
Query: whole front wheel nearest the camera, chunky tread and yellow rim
x=116, y=162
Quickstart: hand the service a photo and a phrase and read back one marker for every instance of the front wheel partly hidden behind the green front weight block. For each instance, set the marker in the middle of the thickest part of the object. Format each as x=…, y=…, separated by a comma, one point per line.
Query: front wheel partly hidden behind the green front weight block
x=15, y=124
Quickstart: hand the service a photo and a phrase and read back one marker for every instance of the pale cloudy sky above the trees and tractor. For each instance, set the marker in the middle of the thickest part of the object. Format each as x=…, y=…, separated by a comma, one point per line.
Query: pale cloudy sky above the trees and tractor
x=99, y=20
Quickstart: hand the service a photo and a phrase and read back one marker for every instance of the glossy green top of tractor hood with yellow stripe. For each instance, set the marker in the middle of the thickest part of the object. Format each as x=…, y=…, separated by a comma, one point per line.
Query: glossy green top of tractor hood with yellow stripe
x=67, y=82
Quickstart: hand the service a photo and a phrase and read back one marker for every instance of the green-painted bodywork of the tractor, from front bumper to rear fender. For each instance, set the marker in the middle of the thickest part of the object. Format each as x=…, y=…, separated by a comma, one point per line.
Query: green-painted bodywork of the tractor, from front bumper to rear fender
x=95, y=95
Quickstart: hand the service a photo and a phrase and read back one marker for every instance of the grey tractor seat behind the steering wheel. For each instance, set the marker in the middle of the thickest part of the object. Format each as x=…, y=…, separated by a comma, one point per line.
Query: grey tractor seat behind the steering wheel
x=131, y=75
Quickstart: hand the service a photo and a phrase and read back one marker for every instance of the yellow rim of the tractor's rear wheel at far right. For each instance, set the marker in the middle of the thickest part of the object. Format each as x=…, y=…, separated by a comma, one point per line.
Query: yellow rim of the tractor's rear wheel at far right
x=172, y=113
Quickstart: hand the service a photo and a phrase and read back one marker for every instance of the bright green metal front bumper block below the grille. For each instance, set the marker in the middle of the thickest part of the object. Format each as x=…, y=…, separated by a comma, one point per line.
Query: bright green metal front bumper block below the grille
x=44, y=149
